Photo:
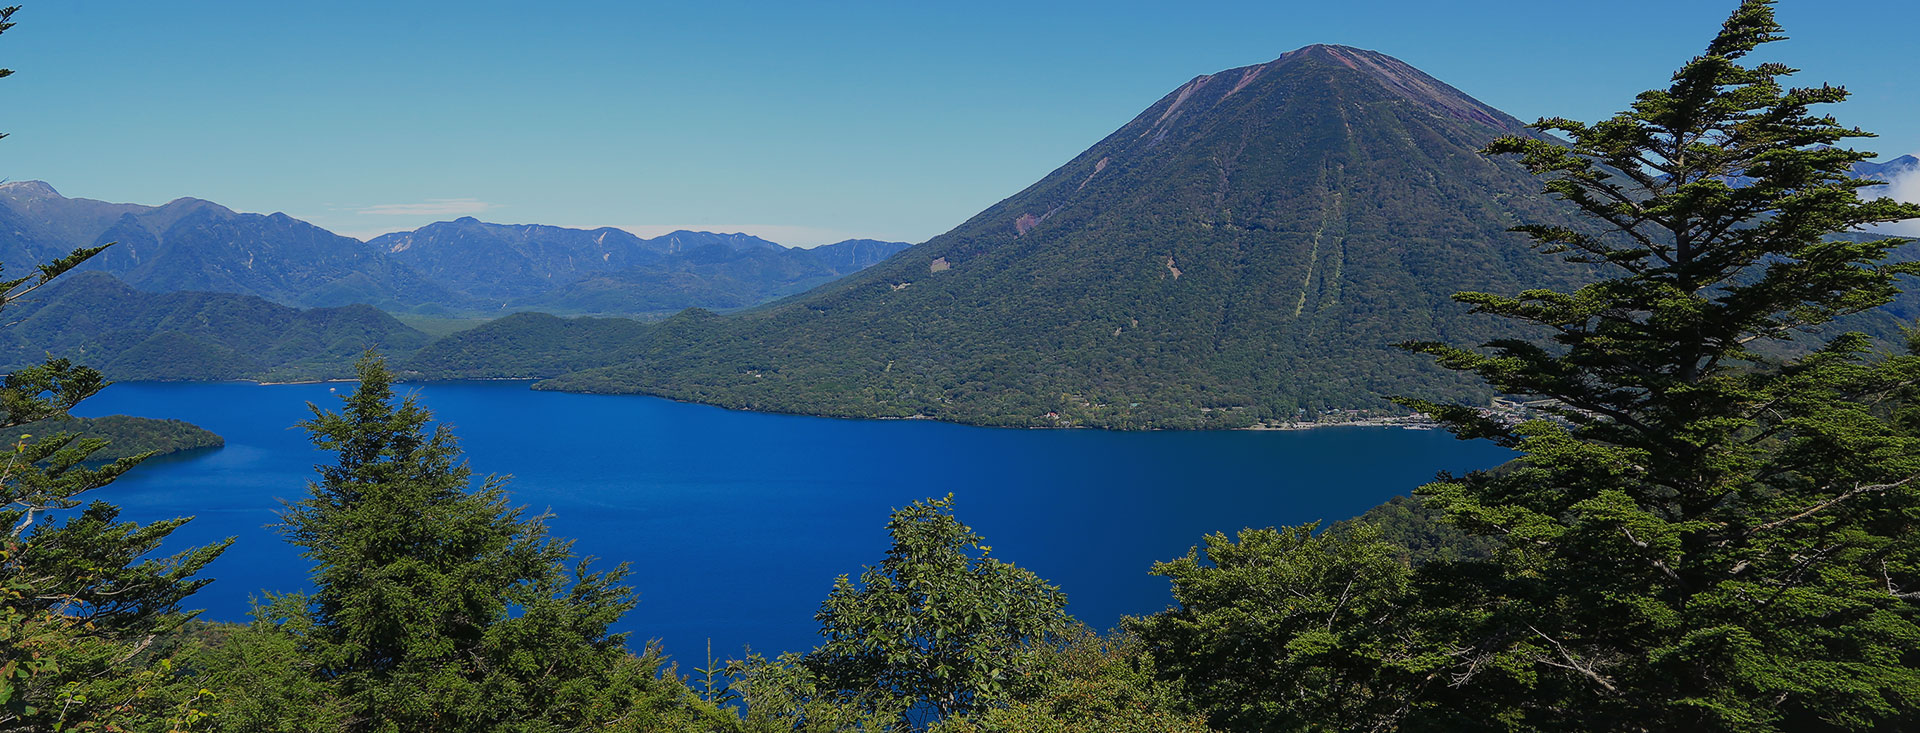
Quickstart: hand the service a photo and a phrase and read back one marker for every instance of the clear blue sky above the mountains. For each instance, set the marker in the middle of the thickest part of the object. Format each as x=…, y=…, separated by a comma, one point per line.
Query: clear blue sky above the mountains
x=802, y=122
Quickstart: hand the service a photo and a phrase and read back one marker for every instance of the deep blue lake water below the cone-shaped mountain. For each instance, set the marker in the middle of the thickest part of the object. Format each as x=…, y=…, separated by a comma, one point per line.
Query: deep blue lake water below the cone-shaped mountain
x=738, y=523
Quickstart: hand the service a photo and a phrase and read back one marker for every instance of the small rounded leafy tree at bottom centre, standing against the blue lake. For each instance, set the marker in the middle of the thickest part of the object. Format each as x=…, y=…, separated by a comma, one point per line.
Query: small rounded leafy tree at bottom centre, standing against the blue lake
x=940, y=628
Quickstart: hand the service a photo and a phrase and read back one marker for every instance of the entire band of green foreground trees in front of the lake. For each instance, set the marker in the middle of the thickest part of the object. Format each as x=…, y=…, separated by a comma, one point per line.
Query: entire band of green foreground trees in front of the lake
x=1700, y=532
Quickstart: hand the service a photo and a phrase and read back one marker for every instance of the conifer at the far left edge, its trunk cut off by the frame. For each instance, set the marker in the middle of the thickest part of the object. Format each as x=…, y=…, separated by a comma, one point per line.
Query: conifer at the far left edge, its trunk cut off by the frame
x=84, y=596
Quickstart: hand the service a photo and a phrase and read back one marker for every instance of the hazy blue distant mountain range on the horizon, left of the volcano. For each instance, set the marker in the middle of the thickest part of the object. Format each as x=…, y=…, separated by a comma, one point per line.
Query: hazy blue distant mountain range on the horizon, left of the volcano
x=460, y=268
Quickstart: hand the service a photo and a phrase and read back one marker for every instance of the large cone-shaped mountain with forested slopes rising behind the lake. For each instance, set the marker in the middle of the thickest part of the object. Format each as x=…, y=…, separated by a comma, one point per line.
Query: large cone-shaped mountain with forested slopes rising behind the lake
x=1245, y=250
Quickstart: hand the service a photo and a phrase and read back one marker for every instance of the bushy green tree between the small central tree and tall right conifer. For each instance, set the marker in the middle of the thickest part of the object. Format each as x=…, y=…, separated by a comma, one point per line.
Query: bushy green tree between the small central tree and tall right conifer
x=1287, y=630
